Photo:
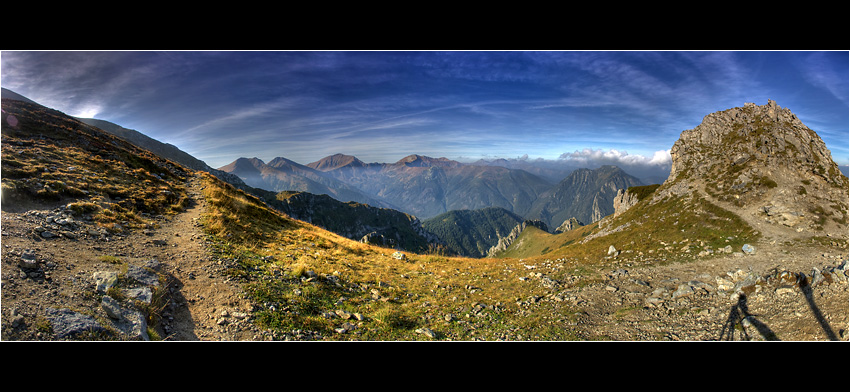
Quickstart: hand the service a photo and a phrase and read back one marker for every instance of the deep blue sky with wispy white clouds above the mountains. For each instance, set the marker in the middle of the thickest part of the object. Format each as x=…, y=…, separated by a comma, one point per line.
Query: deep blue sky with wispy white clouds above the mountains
x=381, y=106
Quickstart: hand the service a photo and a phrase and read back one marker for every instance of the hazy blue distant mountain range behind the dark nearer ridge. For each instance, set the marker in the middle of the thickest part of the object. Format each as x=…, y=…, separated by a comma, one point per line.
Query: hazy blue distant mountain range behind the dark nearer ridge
x=426, y=187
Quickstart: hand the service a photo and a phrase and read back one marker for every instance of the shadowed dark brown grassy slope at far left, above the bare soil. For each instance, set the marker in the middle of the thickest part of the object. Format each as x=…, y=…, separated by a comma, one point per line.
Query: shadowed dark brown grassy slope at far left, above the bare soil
x=51, y=158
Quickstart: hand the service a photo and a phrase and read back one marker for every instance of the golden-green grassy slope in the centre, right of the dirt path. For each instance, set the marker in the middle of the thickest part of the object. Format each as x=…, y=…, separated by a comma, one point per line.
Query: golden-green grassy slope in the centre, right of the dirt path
x=296, y=273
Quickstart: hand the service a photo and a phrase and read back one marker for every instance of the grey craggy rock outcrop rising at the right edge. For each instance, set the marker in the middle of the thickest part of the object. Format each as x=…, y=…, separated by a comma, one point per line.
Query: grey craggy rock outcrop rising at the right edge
x=763, y=161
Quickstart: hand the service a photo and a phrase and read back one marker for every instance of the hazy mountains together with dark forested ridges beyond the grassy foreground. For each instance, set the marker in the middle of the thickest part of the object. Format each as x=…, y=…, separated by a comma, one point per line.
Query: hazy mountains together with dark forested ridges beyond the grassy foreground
x=437, y=189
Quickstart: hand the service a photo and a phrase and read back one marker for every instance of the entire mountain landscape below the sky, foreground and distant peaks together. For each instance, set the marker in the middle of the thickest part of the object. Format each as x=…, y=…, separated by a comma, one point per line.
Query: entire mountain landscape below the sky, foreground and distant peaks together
x=141, y=247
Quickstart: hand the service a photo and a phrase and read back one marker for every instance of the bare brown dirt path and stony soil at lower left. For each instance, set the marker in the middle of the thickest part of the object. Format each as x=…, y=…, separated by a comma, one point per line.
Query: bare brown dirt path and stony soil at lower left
x=203, y=304
